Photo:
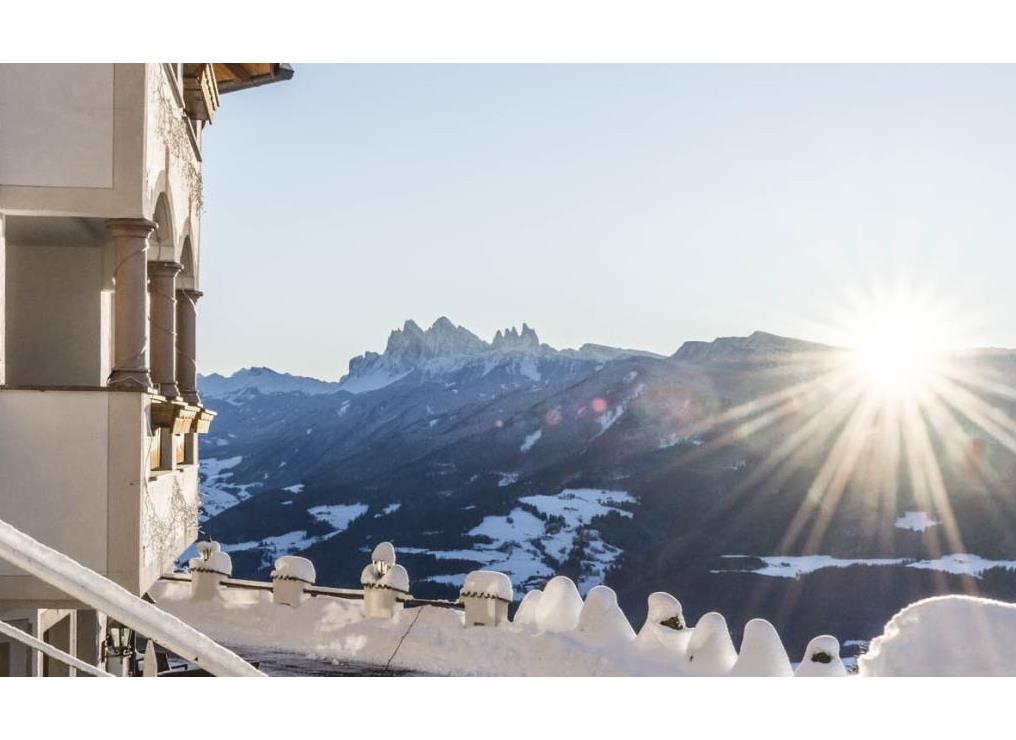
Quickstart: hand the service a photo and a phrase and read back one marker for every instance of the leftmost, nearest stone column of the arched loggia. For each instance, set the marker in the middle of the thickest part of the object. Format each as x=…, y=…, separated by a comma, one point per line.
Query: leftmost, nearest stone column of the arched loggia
x=131, y=339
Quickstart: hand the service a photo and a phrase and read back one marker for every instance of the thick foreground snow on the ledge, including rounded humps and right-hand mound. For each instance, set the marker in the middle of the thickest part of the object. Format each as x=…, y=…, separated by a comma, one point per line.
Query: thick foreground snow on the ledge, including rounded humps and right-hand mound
x=556, y=634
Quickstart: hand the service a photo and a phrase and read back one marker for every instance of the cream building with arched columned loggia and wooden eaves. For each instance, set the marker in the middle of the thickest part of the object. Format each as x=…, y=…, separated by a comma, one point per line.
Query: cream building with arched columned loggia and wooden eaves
x=100, y=248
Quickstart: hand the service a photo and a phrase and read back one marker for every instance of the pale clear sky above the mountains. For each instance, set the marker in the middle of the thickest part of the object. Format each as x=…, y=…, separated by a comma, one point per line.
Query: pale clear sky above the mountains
x=632, y=206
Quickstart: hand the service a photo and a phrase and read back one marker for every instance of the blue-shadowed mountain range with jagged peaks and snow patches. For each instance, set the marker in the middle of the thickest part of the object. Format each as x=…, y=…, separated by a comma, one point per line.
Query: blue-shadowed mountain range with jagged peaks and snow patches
x=698, y=474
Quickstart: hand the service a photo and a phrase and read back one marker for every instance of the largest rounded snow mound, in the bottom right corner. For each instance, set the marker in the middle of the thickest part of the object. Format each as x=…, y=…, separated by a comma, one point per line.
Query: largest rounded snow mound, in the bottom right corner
x=950, y=636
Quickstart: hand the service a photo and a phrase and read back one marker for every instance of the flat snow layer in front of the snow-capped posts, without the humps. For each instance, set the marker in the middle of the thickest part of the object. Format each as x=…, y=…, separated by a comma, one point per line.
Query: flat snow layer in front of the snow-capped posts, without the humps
x=427, y=640
